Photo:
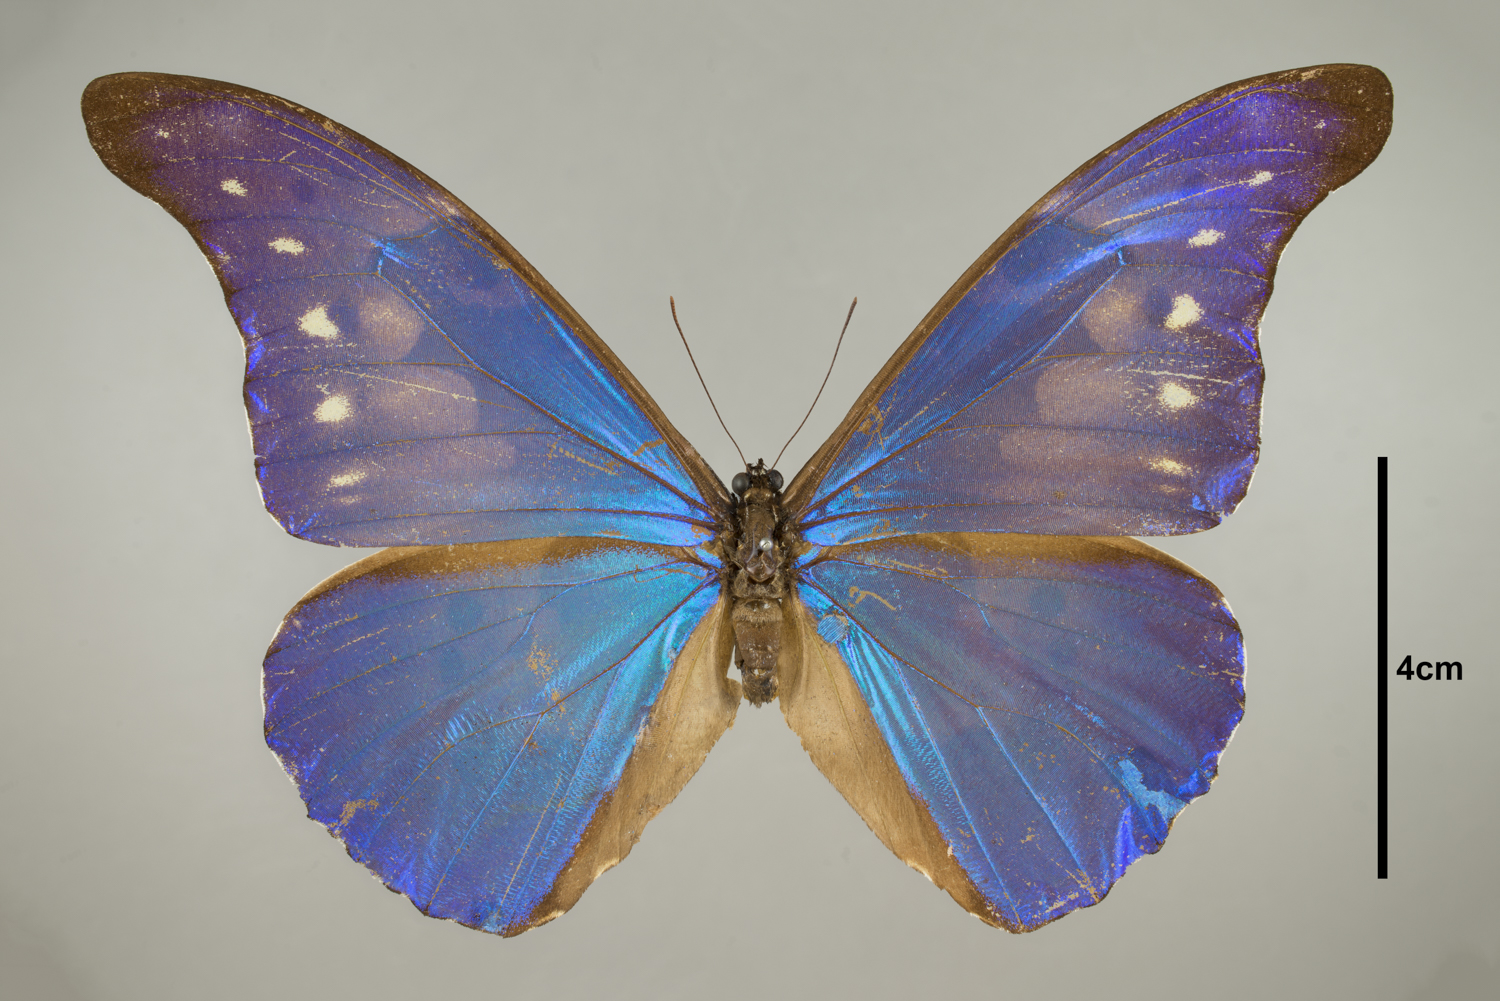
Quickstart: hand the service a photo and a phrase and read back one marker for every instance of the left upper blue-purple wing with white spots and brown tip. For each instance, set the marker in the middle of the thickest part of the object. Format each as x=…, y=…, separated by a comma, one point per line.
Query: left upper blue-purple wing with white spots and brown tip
x=410, y=379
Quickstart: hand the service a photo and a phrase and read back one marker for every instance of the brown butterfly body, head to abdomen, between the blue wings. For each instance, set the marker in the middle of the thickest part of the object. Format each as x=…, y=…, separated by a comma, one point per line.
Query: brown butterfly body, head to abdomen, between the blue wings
x=757, y=579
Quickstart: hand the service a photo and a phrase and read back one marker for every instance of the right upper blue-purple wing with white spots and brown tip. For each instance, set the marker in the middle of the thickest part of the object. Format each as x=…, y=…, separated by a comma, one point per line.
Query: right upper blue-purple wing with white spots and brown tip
x=1097, y=371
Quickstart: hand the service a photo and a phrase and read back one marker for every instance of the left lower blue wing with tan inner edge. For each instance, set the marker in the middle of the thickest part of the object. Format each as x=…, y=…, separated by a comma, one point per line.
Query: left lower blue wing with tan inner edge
x=490, y=727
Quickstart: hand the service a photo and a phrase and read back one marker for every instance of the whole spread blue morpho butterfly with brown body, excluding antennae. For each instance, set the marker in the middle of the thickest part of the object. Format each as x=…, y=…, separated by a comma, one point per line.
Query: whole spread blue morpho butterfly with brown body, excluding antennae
x=1013, y=694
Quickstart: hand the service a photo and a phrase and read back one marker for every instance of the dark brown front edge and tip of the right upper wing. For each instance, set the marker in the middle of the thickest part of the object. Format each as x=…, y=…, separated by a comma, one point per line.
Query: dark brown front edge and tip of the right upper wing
x=1342, y=82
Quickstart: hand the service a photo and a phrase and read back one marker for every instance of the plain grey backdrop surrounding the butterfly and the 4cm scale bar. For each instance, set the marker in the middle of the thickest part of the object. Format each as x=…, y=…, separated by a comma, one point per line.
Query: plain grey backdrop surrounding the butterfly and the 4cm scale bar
x=764, y=163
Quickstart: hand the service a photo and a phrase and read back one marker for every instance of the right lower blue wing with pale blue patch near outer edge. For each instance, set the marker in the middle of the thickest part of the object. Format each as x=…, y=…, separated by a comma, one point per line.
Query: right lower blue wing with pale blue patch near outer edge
x=1016, y=717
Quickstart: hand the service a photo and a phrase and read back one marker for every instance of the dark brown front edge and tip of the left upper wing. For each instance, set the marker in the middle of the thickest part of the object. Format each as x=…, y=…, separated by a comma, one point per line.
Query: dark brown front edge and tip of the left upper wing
x=119, y=97
